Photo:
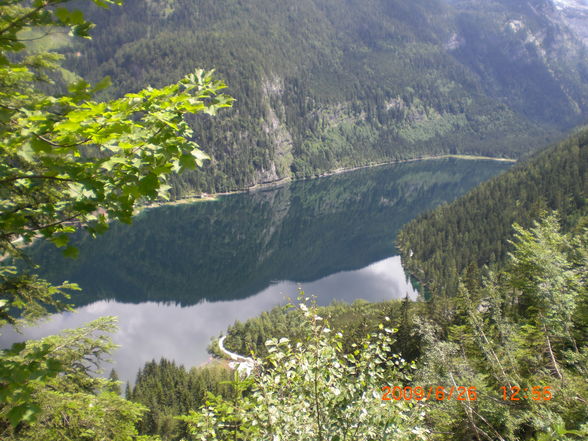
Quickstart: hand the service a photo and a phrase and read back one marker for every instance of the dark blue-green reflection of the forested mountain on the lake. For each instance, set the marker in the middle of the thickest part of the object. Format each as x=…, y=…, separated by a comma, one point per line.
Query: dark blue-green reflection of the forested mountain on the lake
x=234, y=248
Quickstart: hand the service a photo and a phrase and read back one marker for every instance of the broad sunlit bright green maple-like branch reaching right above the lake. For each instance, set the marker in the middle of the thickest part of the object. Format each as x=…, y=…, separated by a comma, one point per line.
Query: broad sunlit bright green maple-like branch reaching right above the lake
x=65, y=157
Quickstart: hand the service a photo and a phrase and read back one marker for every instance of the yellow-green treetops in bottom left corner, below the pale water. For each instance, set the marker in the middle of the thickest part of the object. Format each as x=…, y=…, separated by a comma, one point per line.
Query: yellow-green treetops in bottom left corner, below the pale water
x=76, y=404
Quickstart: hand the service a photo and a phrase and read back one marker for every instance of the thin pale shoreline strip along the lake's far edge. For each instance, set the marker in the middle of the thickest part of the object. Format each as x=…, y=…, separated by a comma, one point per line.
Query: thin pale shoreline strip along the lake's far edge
x=205, y=197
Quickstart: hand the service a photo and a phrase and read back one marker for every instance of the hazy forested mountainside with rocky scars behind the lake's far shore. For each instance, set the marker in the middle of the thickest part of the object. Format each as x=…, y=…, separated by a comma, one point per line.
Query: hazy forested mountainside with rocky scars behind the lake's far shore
x=322, y=84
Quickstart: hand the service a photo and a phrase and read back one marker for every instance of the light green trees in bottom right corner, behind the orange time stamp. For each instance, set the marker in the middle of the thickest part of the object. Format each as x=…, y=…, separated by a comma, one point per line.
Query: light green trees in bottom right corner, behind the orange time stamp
x=521, y=328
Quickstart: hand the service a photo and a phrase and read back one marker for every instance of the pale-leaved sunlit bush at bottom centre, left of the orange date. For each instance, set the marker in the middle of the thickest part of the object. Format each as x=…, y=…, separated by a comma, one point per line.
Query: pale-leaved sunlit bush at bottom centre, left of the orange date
x=313, y=390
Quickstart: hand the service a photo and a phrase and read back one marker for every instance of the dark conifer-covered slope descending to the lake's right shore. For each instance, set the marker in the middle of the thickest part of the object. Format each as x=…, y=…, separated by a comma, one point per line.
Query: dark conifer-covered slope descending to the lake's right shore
x=472, y=231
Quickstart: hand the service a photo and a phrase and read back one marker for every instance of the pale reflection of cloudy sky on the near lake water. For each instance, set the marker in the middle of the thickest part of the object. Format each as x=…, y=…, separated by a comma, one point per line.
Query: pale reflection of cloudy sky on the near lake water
x=152, y=330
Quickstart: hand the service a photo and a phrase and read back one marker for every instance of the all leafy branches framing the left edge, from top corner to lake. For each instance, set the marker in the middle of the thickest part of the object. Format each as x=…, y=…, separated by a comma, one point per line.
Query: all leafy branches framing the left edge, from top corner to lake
x=68, y=160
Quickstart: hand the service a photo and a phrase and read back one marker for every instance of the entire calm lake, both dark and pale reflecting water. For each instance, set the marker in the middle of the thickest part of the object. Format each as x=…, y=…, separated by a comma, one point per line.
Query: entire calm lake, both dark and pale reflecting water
x=179, y=275
